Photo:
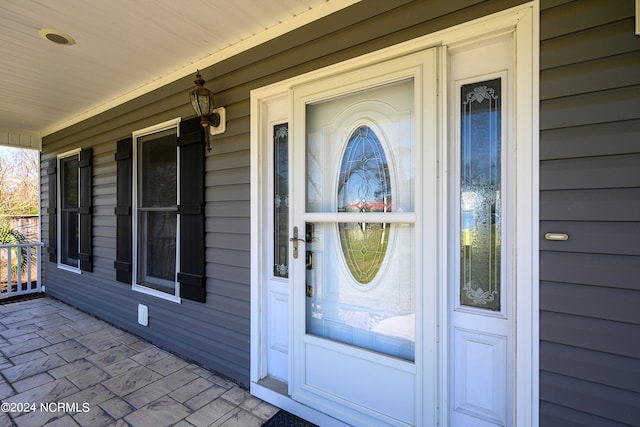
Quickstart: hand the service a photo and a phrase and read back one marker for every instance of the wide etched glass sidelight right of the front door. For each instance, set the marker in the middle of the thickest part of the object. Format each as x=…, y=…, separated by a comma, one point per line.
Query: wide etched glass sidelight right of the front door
x=480, y=192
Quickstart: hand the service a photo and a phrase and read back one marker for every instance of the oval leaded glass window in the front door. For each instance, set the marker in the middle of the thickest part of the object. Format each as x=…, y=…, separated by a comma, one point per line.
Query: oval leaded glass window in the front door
x=364, y=185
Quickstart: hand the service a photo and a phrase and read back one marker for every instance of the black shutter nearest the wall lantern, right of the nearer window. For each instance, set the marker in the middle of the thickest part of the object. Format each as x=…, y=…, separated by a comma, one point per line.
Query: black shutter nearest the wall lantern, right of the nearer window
x=192, y=253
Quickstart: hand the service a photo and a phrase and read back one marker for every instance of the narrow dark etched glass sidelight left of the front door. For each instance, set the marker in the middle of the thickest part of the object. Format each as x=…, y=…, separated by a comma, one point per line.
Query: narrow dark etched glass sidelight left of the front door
x=281, y=200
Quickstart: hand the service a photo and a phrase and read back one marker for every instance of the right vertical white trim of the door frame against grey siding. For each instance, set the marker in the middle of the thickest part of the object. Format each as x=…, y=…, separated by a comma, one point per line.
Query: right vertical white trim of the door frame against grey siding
x=528, y=221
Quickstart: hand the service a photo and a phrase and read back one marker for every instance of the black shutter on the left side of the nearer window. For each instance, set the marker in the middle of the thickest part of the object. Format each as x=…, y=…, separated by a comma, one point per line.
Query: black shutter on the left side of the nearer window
x=124, y=161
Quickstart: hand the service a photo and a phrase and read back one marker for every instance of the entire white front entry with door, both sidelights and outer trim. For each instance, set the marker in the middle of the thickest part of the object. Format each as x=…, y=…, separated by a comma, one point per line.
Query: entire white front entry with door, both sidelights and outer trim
x=384, y=282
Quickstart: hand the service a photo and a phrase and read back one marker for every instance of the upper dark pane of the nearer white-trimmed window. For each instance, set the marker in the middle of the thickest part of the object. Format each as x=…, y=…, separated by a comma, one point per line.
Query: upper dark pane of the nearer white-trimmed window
x=157, y=176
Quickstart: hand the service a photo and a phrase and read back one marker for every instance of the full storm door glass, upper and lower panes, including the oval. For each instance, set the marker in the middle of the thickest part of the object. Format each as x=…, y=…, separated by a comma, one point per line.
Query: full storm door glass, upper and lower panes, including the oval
x=360, y=275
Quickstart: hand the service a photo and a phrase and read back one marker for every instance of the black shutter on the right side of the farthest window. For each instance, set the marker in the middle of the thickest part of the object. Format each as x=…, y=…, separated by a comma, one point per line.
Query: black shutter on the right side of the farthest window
x=85, y=210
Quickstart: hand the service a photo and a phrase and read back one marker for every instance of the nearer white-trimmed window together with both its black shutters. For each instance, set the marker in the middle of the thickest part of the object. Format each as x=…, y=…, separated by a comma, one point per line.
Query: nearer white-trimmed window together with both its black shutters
x=160, y=247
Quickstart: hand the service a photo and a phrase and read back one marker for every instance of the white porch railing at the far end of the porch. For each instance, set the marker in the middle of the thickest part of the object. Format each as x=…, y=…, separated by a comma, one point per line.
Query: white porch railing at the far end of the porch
x=20, y=269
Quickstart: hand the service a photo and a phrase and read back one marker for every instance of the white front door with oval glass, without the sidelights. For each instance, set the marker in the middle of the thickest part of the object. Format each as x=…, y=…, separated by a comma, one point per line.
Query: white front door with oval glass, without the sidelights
x=362, y=175
